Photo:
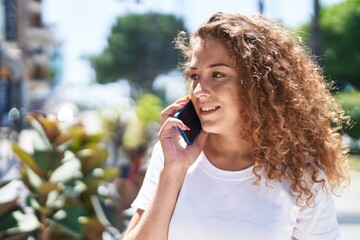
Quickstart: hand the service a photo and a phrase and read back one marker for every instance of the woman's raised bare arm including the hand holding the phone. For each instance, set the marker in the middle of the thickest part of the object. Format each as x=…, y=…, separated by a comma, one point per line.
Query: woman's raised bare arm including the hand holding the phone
x=153, y=223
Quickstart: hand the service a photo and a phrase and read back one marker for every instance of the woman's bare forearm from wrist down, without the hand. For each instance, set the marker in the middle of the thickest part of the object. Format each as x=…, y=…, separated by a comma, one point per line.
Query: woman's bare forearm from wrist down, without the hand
x=154, y=222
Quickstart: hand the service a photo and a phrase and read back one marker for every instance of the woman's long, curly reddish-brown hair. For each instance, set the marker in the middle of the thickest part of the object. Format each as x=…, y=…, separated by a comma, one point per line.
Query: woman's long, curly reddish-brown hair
x=289, y=113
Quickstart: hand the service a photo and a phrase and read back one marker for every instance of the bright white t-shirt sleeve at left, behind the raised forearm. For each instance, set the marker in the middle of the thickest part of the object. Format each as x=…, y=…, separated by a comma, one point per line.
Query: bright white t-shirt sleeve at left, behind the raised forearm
x=151, y=179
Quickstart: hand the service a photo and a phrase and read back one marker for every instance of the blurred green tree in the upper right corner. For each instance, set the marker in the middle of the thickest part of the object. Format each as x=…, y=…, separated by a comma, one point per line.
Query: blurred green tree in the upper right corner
x=339, y=26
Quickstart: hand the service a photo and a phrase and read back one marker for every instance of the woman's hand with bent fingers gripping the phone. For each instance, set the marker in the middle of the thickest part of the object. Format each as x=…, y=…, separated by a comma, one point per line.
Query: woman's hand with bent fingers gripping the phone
x=178, y=155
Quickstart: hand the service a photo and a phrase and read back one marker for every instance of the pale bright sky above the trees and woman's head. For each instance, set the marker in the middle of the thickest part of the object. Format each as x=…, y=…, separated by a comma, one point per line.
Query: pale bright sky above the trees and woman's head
x=82, y=26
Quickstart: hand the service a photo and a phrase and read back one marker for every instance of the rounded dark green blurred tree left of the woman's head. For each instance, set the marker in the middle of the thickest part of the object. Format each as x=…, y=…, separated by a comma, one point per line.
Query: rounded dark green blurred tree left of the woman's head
x=139, y=48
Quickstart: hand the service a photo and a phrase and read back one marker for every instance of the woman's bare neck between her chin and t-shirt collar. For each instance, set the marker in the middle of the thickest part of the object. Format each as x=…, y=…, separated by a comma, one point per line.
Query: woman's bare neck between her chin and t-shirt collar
x=229, y=153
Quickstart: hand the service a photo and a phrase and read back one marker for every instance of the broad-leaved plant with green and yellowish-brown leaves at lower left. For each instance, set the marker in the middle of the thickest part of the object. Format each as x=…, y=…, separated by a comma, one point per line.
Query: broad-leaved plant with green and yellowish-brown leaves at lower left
x=63, y=176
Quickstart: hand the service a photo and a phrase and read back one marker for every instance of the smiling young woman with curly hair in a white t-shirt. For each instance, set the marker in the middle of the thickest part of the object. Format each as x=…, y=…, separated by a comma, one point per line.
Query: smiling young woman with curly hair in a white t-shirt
x=269, y=156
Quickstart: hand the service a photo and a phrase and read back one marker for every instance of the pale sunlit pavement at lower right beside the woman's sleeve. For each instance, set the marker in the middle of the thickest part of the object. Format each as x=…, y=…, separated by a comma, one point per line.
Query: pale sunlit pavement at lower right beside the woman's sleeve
x=348, y=210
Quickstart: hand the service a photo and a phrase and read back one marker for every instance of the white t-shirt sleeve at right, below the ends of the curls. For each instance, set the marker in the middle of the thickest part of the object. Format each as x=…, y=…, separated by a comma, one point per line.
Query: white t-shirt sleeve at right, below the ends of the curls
x=318, y=222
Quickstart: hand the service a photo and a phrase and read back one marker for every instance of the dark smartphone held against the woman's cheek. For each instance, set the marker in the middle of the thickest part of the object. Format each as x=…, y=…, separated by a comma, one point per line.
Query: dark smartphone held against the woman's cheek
x=188, y=116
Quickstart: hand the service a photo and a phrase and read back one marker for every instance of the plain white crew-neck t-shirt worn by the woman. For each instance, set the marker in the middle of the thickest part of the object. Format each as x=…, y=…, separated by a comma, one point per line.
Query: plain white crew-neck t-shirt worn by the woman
x=214, y=204
